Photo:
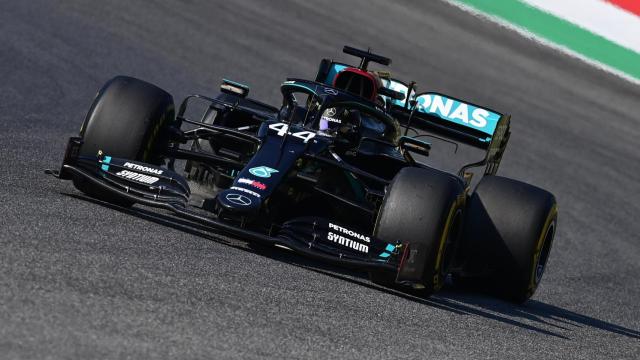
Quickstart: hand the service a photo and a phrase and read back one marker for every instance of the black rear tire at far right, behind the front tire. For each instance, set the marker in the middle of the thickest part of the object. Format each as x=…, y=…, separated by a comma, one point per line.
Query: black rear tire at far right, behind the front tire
x=508, y=234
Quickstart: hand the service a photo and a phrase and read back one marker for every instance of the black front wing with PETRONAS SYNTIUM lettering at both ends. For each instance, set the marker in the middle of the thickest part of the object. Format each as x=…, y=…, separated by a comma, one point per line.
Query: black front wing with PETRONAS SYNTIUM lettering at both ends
x=168, y=192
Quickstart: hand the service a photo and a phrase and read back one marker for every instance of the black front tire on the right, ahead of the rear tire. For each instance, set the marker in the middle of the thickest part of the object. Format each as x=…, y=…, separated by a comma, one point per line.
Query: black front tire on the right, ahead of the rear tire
x=422, y=208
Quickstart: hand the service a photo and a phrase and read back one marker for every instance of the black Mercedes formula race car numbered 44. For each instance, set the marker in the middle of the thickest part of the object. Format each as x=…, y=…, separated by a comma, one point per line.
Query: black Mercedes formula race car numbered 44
x=331, y=174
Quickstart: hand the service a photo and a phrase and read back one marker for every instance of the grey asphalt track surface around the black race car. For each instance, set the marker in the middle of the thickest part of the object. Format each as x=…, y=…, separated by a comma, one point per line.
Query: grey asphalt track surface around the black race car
x=81, y=279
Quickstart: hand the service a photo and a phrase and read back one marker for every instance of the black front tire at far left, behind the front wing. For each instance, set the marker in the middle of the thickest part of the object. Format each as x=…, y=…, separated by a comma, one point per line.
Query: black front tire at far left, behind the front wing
x=128, y=119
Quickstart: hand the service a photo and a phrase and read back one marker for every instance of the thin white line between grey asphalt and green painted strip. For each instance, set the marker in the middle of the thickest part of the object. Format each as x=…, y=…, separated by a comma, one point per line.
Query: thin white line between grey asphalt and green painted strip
x=542, y=41
